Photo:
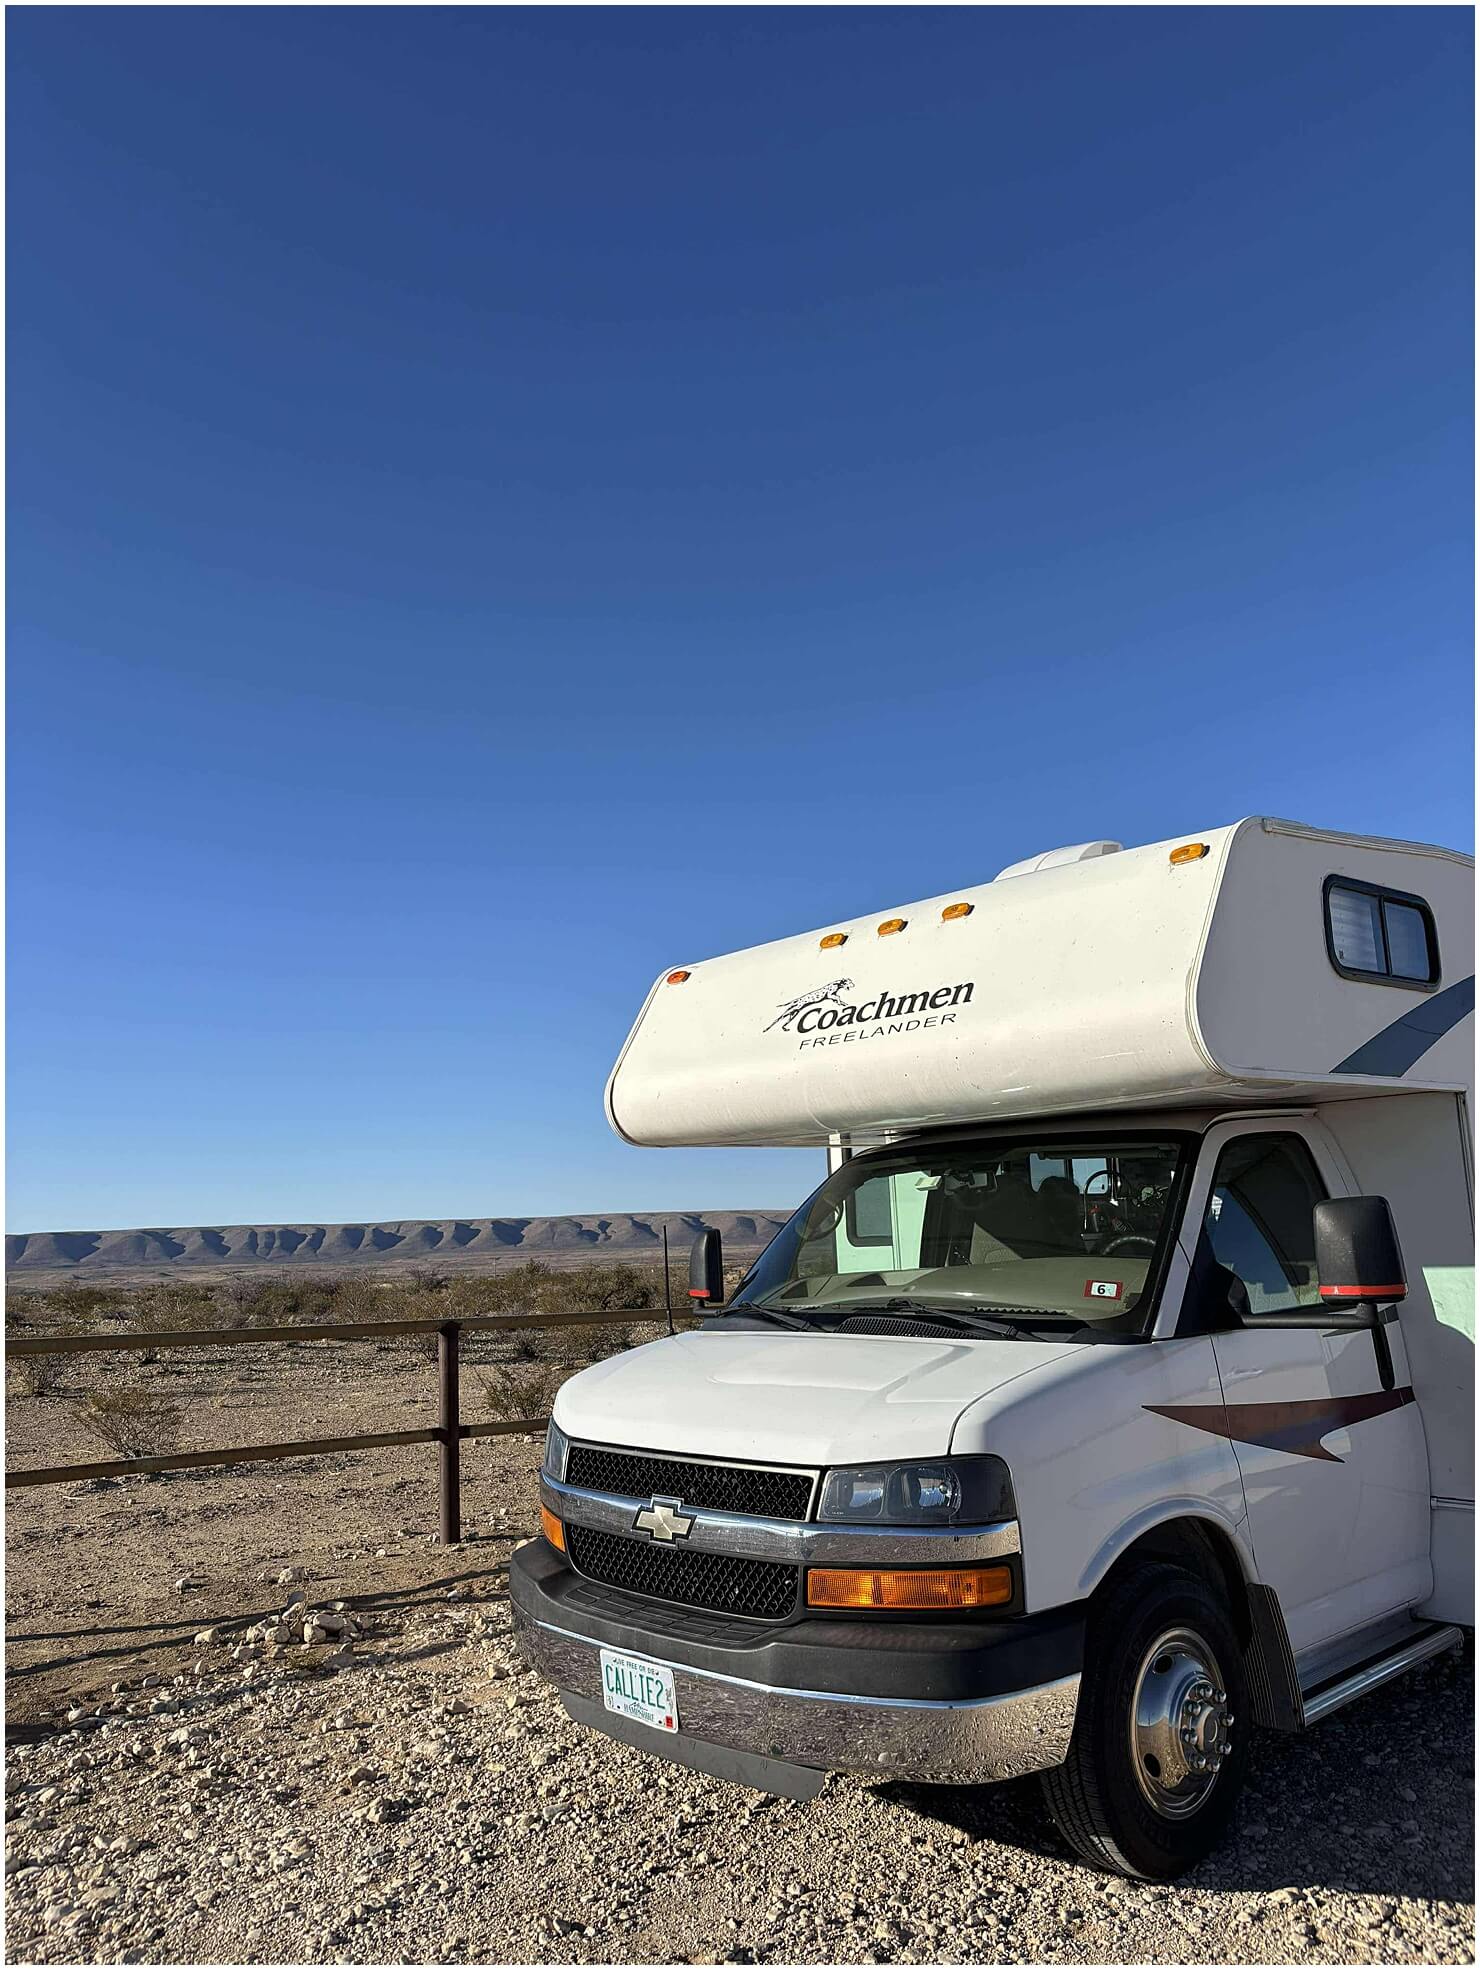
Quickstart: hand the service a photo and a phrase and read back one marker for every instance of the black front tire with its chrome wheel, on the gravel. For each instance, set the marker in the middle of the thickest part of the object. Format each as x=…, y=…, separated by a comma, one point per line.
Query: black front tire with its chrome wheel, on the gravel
x=1162, y=1735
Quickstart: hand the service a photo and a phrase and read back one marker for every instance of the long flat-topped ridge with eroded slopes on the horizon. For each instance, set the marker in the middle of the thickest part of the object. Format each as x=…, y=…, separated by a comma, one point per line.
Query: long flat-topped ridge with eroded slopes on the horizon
x=444, y=1242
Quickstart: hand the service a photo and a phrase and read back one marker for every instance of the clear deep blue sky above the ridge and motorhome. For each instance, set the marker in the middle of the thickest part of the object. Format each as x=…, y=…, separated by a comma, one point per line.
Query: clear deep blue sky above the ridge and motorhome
x=509, y=501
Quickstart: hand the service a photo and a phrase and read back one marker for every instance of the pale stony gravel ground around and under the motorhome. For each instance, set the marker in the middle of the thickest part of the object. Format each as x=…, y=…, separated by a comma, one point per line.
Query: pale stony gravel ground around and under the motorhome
x=413, y=1796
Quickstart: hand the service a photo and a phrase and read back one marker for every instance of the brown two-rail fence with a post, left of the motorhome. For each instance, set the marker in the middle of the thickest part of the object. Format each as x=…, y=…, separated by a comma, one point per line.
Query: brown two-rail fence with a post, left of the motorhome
x=448, y=1435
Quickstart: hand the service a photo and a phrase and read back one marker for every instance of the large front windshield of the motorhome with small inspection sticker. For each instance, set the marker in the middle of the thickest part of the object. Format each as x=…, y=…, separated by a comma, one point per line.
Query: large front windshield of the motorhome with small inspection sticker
x=1018, y=1232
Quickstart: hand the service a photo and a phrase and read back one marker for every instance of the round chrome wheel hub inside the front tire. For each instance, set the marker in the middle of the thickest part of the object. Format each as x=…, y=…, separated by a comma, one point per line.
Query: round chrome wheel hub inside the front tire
x=1181, y=1725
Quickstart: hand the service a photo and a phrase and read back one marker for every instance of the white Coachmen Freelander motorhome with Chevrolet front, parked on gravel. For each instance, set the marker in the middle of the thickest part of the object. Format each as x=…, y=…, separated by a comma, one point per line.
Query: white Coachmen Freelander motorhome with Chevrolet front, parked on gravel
x=1116, y=1388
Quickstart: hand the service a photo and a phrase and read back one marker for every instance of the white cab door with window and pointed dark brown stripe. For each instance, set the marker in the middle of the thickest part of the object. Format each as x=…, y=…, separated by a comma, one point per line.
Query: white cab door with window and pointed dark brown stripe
x=1335, y=1465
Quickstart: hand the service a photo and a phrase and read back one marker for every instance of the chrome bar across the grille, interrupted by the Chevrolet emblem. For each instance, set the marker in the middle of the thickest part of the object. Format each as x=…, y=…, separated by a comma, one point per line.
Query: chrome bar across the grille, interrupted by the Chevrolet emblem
x=791, y=1542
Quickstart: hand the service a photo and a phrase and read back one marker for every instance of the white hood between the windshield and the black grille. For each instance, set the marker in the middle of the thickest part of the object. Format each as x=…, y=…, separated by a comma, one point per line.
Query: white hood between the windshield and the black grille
x=793, y=1398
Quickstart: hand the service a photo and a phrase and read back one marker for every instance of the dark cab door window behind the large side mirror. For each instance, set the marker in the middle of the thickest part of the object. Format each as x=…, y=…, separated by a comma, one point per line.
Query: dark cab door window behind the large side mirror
x=1260, y=1226
